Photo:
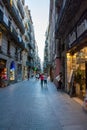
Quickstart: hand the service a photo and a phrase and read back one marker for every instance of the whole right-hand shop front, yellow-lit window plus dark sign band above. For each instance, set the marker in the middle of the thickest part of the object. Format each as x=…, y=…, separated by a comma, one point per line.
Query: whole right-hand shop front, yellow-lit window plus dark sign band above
x=76, y=59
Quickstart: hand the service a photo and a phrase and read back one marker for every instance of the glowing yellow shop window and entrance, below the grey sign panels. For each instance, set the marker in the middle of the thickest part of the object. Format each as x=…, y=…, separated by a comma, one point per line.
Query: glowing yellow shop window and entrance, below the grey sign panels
x=77, y=72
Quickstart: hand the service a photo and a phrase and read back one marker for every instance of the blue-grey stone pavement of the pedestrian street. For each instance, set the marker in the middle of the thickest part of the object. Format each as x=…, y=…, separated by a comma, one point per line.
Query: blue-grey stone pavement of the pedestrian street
x=27, y=106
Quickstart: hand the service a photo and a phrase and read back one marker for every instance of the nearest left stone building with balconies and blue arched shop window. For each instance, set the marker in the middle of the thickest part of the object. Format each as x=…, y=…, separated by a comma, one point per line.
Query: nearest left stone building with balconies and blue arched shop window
x=11, y=41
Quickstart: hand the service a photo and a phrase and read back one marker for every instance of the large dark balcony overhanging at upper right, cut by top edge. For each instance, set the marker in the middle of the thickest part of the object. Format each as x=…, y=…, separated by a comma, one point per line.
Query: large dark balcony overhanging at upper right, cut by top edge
x=66, y=14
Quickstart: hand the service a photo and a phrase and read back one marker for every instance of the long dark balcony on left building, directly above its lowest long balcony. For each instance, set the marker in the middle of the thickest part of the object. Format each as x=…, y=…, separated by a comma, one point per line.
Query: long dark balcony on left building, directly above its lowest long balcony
x=15, y=15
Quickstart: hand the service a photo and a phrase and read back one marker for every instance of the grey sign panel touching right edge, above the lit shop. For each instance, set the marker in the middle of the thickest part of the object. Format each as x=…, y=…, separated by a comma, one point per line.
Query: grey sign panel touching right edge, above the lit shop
x=82, y=28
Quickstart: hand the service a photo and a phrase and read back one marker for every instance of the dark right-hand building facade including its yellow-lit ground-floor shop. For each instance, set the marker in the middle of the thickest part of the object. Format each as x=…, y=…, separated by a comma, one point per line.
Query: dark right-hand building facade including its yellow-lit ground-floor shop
x=71, y=44
